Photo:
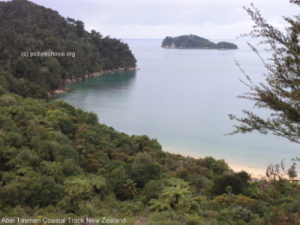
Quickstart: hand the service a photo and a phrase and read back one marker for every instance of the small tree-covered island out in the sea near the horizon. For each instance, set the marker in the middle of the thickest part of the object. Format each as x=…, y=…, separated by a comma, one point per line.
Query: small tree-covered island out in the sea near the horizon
x=194, y=42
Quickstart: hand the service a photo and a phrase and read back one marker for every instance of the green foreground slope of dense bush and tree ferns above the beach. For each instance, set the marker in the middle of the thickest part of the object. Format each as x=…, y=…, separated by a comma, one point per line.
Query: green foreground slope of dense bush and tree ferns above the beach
x=57, y=162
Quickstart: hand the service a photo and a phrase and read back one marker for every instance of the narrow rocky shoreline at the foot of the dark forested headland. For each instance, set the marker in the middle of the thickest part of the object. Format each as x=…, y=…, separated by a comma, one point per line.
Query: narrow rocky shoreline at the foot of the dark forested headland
x=62, y=90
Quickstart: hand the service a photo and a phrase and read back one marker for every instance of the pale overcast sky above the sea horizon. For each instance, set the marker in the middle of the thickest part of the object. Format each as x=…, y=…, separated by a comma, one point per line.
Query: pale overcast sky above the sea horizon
x=212, y=19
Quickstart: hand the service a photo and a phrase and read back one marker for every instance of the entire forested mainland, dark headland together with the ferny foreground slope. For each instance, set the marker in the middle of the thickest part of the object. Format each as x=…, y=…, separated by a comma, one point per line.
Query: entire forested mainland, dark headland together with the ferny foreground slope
x=59, y=165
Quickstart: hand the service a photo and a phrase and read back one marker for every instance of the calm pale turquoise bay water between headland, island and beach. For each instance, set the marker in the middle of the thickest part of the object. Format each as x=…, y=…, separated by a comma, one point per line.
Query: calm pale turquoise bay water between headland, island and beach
x=182, y=97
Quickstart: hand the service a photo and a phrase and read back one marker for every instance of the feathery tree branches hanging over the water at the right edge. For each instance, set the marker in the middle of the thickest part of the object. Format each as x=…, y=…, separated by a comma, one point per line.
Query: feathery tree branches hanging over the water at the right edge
x=281, y=92
